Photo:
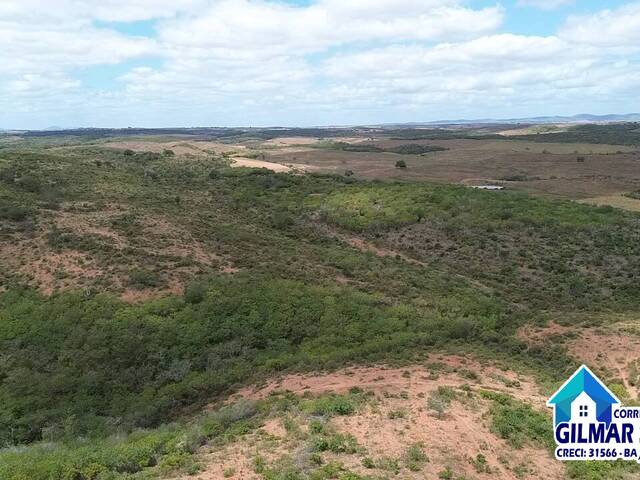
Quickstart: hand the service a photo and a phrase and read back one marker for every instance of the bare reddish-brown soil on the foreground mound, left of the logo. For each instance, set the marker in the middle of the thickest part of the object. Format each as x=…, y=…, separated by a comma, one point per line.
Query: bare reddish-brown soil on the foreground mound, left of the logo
x=398, y=418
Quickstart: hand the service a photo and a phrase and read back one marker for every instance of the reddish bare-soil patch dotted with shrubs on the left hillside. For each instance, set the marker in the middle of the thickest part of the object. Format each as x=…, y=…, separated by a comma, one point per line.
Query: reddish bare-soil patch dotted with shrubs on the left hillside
x=155, y=242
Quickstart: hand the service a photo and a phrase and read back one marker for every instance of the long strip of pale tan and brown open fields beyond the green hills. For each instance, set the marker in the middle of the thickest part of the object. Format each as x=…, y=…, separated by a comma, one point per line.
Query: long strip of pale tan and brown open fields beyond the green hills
x=577, y=171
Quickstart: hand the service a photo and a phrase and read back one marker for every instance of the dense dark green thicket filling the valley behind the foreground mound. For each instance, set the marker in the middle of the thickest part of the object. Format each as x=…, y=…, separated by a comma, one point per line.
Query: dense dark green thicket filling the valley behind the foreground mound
x=77, y=365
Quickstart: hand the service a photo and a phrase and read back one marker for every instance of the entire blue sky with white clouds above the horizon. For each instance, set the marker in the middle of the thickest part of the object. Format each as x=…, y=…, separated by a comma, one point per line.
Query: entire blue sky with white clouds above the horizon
x=171, y=63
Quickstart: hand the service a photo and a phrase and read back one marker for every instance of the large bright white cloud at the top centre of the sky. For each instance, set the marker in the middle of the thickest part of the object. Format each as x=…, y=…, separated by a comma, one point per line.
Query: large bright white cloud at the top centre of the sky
x=275, y=27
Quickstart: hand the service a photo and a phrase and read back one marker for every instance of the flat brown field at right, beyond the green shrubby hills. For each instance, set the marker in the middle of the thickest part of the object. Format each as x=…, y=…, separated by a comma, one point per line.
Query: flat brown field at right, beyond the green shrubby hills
x=545, y=168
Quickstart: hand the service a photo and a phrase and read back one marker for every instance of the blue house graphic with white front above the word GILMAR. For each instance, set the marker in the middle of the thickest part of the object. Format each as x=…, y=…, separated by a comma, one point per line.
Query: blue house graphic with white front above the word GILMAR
x=582, y=398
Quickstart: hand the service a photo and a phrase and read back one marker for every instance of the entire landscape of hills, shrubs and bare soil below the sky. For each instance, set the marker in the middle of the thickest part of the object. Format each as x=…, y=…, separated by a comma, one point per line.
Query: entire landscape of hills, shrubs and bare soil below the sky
x=309, y=305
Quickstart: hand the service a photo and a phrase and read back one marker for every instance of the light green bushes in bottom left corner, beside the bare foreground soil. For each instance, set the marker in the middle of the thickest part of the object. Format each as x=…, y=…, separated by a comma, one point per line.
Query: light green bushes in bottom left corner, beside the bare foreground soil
x=141, y=454
